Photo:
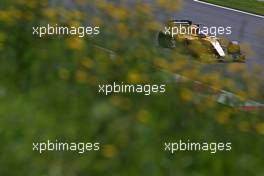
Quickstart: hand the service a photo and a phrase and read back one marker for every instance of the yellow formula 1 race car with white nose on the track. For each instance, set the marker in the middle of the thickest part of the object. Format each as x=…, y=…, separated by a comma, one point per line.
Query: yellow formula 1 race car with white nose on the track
x=187, y=34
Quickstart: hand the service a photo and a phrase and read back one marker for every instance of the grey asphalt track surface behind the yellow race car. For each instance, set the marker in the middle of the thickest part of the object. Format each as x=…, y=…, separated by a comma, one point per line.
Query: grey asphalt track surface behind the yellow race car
x=246, y=29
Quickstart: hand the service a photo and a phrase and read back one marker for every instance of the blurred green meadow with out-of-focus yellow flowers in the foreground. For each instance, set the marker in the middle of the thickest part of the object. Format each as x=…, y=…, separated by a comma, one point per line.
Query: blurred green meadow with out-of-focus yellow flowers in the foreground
x=49, y=90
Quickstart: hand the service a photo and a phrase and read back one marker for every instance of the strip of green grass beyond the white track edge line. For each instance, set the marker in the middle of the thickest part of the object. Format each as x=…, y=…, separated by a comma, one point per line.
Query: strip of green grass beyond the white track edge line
x=252, y=6
